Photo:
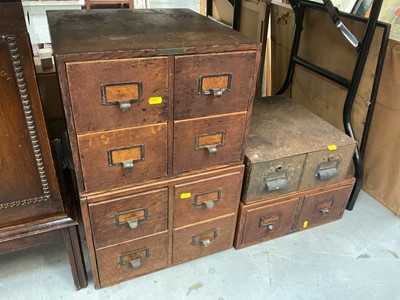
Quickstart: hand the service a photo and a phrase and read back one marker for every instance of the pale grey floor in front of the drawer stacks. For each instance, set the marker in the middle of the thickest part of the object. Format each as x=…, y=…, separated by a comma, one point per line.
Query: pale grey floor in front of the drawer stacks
x=353, y=258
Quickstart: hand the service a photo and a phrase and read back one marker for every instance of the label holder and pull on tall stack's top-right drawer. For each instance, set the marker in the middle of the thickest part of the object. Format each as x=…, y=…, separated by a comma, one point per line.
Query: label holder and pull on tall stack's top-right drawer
x=216, y=84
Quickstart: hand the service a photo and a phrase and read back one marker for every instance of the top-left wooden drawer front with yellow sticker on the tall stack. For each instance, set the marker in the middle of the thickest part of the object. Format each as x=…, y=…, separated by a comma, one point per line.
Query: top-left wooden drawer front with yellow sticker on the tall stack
x=118, y=93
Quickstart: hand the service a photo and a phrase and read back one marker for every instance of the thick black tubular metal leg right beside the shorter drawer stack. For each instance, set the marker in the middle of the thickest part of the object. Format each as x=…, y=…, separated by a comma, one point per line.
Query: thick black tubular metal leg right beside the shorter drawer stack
x=362, y=58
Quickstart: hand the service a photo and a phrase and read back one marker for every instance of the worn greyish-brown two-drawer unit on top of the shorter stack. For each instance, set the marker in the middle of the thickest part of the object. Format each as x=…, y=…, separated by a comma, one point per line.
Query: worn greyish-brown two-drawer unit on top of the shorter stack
x=289, y=143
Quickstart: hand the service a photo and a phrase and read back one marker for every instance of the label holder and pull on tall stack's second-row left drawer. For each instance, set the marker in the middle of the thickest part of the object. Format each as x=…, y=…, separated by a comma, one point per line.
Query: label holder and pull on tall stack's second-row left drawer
x=126, y=157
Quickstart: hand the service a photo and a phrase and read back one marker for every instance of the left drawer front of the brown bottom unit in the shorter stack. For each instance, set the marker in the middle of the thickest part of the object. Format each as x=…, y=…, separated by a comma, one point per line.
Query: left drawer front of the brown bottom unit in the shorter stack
x=269, y=222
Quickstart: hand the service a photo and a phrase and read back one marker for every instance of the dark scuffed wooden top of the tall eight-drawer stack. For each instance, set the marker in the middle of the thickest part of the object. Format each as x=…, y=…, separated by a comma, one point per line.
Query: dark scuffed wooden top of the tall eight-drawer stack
x=145, y=32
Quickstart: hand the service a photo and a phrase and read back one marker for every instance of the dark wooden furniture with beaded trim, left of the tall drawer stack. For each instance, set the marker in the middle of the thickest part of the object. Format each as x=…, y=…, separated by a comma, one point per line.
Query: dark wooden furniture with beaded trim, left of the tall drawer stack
x=33, y=210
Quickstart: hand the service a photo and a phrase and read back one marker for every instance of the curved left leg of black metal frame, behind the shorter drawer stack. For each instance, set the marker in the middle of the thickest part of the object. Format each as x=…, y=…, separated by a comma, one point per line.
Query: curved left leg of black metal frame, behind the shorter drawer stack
x=299, y=15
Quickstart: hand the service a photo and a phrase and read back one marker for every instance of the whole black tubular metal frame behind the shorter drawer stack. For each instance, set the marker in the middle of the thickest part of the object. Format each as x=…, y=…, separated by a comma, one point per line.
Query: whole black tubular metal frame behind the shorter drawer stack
x=352, y=84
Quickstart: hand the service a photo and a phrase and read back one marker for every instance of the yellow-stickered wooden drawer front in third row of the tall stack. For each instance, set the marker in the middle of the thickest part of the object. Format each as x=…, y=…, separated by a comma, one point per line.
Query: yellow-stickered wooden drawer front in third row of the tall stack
x=205, y=199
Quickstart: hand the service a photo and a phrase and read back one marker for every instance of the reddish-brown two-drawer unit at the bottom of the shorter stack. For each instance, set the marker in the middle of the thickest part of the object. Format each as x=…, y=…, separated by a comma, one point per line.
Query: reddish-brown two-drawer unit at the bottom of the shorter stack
x=297, y=207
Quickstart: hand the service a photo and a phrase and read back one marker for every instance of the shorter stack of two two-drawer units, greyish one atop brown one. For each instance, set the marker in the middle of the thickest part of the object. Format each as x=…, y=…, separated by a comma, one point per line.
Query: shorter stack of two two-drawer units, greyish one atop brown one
x=297, y=172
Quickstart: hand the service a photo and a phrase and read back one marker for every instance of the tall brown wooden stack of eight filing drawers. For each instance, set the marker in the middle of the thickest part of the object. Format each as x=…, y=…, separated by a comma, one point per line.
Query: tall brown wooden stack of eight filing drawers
x=158, y=104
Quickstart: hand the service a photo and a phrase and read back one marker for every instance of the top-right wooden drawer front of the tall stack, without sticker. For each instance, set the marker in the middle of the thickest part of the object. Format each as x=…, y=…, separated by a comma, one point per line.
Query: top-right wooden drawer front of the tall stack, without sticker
x=213, y=84
